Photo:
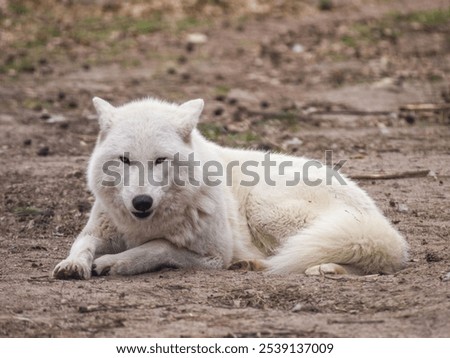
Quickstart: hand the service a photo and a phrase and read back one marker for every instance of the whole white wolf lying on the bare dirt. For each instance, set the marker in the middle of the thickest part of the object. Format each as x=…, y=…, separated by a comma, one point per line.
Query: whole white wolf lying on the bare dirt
x=136, y=226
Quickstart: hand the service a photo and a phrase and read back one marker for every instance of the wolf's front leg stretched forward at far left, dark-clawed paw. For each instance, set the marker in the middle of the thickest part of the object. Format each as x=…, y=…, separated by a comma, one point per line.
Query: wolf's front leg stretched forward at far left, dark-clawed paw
x=79, y=262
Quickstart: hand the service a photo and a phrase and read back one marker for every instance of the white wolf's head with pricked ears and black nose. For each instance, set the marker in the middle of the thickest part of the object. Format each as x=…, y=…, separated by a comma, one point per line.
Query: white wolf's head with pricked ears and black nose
x=135, y=168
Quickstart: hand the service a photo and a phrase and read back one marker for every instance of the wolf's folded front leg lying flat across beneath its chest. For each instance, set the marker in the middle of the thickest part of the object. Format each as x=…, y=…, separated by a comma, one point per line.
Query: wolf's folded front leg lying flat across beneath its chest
x=152, y=256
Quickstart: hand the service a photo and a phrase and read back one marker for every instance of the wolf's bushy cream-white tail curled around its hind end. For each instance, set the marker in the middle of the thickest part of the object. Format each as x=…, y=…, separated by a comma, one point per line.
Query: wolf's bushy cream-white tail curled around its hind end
x=366, y=242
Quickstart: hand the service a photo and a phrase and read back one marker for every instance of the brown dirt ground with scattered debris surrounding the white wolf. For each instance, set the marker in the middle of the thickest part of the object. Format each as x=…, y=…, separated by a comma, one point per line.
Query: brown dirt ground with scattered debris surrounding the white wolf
x=293, y=76
